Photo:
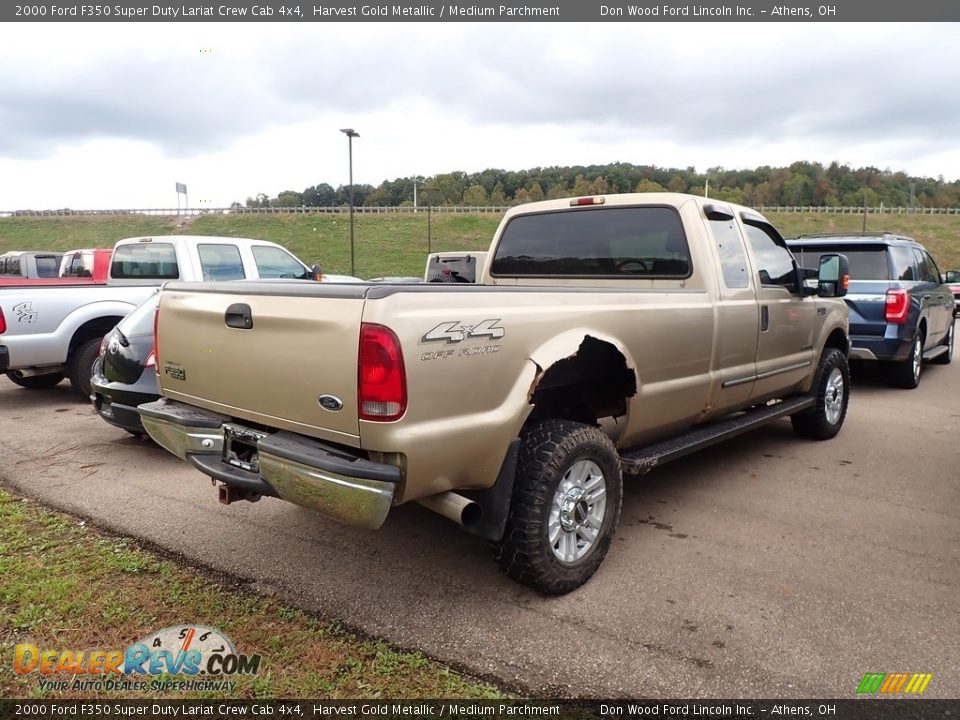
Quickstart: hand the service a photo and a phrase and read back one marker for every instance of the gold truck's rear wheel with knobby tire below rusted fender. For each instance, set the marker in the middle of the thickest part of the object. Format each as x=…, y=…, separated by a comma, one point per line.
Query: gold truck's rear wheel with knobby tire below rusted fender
x=565, y=506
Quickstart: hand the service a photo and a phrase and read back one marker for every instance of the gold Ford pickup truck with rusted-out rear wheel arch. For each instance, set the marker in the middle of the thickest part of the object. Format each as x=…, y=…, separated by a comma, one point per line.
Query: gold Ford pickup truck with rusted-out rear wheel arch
x=606, y=335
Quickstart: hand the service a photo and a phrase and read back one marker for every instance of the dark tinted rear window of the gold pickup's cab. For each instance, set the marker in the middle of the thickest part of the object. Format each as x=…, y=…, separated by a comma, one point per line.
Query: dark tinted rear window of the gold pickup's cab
x=612, y=242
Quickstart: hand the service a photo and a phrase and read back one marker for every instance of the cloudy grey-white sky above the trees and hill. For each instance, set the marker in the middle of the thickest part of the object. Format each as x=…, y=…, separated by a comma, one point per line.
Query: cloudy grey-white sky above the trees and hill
x=113, y=115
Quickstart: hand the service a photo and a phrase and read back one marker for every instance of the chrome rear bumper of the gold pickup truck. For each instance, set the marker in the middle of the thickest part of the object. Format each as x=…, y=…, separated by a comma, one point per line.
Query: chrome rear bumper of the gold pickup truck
x=322, y=477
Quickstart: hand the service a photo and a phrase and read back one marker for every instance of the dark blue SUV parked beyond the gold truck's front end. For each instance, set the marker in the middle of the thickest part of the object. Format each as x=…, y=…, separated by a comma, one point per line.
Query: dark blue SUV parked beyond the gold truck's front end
x=901, y=314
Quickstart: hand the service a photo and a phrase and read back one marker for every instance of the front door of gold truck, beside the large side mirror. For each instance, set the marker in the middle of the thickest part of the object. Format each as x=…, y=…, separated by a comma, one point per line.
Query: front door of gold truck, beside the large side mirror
x=787, y=320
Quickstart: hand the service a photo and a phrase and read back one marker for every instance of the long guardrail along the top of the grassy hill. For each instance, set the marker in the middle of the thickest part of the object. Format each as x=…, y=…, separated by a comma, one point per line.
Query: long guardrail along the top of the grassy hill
x=343, y=209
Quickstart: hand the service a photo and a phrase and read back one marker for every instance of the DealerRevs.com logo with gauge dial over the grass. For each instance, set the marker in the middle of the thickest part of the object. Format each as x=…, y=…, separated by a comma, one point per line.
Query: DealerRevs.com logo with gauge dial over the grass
x=204, y=658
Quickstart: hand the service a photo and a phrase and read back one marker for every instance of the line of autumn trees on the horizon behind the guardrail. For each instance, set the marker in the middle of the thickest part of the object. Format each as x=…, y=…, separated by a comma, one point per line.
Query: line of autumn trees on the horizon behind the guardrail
x=800, y=184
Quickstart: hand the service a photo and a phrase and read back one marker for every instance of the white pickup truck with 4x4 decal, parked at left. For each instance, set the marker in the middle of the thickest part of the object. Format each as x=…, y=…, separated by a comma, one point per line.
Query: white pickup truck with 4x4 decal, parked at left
x=50, y=333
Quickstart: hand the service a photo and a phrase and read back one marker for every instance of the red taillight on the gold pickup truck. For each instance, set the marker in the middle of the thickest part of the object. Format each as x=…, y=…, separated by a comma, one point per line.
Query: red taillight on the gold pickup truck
x=381, y=379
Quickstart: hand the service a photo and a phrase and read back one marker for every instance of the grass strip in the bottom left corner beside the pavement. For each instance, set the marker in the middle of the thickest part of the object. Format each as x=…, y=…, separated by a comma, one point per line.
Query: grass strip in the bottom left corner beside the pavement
x=67, y=586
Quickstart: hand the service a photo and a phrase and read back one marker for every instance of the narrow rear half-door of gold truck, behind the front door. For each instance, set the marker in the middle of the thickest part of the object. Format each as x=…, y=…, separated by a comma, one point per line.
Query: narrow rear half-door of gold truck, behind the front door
x=738, y=320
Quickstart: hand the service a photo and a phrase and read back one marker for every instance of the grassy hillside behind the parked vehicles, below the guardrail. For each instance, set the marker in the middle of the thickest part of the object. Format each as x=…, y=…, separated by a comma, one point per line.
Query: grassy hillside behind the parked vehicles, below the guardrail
x=396, y=244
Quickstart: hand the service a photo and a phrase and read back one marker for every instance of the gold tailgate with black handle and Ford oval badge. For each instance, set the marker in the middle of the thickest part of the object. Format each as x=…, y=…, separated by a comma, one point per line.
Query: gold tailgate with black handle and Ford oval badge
x=284, y=351
